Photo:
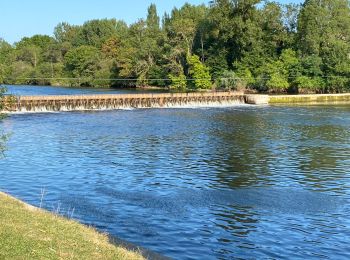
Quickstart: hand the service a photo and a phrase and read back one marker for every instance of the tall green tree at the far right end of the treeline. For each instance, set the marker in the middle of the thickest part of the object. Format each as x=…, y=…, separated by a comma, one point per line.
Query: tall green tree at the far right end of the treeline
x=324, y=31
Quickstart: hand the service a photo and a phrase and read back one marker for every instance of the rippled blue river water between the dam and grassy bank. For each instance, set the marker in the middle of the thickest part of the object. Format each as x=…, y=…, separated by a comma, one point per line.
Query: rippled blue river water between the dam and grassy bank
x=218, y=183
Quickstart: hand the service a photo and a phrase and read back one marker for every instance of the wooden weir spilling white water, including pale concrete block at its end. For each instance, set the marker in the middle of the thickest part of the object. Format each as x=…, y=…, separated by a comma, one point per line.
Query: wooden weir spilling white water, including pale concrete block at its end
x=125, y=101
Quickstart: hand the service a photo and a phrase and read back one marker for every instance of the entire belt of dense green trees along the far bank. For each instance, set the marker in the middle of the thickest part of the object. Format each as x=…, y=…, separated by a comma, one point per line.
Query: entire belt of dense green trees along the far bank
x=237, y=44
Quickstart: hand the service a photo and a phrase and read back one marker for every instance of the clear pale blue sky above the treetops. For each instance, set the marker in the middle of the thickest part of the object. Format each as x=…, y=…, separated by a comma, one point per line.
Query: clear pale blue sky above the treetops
x=19, y=18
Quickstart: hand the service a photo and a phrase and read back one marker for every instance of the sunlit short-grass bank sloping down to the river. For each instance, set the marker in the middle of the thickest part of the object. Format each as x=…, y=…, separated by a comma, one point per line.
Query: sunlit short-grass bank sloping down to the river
x=30, y=233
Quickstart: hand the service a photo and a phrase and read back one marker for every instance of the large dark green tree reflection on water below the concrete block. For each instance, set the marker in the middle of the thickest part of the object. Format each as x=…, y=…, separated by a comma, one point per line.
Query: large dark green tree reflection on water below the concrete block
x=242, y=152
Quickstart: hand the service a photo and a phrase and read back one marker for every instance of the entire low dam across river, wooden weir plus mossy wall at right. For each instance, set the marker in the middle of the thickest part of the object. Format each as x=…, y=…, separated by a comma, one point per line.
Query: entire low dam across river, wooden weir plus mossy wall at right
x=167, y=100
